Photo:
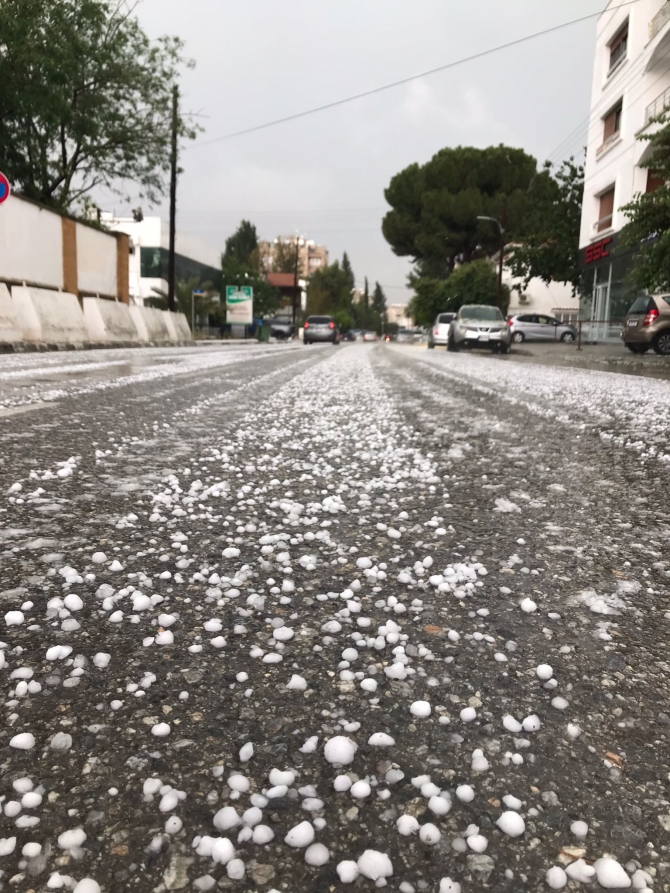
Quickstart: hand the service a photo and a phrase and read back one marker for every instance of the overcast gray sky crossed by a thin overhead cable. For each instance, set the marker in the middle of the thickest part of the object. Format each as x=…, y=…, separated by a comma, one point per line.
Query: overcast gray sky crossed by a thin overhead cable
x=324, y=175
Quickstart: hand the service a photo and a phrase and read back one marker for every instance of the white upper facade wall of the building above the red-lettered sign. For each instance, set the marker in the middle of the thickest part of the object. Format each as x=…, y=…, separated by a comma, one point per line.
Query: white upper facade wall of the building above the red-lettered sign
x=637, y=81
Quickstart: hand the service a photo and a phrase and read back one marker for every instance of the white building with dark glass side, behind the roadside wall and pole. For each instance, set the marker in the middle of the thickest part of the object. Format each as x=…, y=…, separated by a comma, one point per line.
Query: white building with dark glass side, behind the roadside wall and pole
x=148, y=263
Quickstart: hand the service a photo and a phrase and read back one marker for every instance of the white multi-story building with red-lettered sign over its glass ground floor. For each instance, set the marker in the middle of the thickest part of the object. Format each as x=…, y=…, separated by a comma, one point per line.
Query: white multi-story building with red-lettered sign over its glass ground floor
x=631, y=86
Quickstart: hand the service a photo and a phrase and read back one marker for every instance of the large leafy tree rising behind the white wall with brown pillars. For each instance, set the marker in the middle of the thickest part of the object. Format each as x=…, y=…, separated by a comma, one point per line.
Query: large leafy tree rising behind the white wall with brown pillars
x=86, y=100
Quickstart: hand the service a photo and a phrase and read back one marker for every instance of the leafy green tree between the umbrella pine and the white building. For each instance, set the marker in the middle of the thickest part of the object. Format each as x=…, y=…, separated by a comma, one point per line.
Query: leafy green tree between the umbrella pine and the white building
x=549, y=243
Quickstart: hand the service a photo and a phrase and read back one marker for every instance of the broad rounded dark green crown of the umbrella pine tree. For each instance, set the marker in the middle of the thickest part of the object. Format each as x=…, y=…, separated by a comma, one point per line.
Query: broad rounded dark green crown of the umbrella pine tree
x=435, y=206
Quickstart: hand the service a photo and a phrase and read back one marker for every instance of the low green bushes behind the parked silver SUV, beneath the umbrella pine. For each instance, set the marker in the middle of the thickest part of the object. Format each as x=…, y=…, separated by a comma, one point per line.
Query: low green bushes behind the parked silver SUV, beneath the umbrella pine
x=472, y=283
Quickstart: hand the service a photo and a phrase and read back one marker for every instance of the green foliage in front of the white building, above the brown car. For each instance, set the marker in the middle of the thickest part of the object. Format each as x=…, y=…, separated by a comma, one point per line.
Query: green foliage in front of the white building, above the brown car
x=648, y=227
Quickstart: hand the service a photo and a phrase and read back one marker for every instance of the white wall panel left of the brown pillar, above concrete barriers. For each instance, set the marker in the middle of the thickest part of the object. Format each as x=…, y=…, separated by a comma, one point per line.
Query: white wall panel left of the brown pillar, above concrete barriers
x=31, y=243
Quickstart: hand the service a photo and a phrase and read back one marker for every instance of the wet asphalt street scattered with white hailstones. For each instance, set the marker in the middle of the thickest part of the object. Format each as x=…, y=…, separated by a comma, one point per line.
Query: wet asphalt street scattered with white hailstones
x=293, y=618
